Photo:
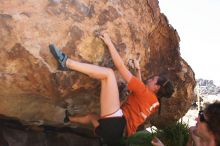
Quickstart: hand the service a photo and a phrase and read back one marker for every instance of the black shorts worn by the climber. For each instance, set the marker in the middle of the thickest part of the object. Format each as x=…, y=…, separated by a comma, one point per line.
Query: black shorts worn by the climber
x=111, y=129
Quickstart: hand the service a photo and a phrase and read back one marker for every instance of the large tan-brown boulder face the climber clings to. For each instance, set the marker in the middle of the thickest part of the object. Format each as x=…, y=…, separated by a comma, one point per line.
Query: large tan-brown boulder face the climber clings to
x=31, y=87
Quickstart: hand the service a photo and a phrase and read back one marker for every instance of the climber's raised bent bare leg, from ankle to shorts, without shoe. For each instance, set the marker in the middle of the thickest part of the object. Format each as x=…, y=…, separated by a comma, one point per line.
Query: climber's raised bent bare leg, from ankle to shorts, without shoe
x=109, y=98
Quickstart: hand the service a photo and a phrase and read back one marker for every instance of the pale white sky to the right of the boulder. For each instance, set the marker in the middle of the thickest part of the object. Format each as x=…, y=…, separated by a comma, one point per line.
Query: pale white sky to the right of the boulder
x=198, y=25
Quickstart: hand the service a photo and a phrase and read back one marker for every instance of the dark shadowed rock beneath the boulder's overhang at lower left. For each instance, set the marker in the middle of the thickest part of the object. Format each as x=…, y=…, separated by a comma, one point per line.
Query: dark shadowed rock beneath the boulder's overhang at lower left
x=14, y=132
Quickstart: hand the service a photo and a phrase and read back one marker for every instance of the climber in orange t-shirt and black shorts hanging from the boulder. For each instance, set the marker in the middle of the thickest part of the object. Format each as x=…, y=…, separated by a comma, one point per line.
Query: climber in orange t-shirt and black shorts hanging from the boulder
x=113, y=118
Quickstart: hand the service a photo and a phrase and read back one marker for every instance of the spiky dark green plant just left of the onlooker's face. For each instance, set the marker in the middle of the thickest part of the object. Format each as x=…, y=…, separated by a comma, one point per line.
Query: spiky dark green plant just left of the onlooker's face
x=176, y=135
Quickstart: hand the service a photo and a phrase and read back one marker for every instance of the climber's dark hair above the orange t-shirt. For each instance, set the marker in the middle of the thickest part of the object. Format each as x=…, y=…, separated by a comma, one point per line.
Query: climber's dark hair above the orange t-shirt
x=166, y=87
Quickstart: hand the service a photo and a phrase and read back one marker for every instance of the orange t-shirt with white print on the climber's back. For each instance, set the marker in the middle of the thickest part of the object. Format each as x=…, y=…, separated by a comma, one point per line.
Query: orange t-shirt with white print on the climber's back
x=139, y=105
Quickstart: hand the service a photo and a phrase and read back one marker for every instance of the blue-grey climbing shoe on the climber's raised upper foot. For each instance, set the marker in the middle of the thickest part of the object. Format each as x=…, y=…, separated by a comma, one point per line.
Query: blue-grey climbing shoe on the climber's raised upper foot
x=59, y=56
